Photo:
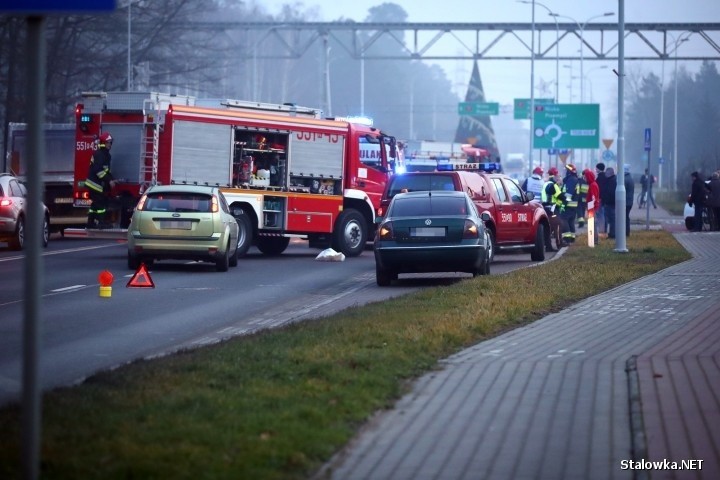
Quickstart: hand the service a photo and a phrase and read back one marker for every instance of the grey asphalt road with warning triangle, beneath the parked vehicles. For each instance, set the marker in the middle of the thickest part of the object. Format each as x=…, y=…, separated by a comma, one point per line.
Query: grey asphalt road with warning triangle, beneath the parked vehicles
x=191, y=305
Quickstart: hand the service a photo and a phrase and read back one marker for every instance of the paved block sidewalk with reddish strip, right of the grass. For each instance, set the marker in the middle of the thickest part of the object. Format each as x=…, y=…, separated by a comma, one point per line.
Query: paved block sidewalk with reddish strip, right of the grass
x=631, y=374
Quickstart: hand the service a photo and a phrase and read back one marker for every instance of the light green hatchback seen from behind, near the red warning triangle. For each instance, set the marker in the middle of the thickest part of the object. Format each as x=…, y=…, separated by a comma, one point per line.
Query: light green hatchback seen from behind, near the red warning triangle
x=183, y=222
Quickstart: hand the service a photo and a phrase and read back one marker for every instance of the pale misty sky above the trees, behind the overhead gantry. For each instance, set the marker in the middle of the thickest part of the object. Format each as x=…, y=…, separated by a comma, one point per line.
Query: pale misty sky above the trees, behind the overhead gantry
x=504, y=81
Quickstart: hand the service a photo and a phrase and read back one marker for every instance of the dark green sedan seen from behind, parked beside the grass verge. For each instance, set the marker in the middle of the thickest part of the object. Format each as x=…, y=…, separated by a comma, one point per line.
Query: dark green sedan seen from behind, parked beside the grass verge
x=438, y=231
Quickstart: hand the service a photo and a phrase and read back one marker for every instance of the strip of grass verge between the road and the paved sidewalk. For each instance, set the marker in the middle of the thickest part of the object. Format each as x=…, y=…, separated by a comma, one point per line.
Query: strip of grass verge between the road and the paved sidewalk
x=278, y=404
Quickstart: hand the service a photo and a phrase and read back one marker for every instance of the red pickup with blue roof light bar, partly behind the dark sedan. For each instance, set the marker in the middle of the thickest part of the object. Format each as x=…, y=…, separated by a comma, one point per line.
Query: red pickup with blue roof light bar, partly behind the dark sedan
x=516, y=223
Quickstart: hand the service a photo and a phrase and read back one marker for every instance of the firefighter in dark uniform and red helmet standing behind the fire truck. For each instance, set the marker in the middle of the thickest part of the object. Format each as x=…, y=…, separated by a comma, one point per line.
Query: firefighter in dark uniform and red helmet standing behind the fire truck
x=99, y=182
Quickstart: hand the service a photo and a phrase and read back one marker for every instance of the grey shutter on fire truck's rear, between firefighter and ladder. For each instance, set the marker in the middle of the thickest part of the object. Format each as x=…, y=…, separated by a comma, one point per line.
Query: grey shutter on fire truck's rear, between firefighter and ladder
x=126, y=151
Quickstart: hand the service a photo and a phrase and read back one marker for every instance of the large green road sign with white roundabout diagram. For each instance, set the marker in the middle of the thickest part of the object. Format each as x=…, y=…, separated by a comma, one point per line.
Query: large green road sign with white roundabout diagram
x=566, y=126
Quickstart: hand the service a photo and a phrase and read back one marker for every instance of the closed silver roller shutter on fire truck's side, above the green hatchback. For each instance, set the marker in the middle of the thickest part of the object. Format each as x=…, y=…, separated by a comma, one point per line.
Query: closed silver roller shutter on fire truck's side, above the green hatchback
x=202, y=152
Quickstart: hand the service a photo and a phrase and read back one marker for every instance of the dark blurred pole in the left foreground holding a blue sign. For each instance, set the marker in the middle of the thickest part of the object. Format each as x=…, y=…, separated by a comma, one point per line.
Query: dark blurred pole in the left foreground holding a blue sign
x=32, y=306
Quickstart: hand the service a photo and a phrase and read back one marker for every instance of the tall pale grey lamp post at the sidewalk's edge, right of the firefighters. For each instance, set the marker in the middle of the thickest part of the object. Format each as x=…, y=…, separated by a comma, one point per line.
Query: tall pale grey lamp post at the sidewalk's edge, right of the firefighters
x=620, y=202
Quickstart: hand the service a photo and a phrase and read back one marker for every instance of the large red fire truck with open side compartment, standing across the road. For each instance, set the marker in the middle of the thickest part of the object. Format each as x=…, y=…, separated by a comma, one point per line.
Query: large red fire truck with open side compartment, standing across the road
x=285, y=171
